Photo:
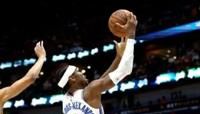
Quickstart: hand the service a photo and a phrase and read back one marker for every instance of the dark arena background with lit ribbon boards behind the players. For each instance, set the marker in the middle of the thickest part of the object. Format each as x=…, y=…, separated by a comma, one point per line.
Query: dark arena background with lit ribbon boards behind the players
x=166, y=74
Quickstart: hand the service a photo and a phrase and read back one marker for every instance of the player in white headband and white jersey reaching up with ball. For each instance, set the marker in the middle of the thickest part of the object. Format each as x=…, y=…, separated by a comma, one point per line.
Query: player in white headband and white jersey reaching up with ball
x=85, y=98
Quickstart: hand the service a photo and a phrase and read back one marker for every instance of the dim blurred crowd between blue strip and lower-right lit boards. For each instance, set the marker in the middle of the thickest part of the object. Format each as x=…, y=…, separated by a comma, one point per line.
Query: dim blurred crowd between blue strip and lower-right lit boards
x=176, y=58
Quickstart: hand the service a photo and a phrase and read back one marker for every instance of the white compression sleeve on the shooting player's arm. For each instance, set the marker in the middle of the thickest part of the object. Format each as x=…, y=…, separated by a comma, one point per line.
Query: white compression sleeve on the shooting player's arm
x=126, y=64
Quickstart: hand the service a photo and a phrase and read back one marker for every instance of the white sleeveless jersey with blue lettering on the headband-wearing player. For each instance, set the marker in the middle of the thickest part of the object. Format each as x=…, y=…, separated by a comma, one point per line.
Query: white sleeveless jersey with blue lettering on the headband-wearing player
x=76, y=105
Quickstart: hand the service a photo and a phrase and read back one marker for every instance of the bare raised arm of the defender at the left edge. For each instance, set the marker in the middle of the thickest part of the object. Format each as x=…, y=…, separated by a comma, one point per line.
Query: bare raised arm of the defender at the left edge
x=20, y=85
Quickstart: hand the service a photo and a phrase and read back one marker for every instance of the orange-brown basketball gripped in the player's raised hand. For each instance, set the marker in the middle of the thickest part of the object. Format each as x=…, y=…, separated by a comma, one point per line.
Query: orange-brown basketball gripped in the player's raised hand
x=118, y=16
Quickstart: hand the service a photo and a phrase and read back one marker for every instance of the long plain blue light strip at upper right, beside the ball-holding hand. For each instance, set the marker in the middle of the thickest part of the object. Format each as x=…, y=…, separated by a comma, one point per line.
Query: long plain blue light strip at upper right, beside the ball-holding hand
x=171, y=31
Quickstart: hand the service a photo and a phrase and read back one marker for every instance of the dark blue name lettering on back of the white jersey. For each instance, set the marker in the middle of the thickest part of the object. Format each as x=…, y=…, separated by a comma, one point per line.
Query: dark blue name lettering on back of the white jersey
x=79, y=106
